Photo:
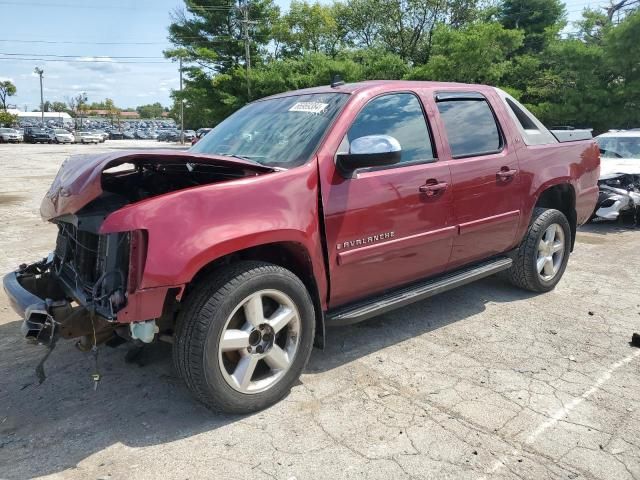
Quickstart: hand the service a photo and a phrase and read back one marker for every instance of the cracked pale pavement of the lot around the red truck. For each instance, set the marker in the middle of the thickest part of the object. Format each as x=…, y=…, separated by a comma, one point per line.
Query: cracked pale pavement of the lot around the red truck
x=482, y=382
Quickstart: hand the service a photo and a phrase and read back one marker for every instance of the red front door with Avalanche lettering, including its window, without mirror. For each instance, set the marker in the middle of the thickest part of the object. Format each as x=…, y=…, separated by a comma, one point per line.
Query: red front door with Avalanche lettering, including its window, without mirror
x=387, y=226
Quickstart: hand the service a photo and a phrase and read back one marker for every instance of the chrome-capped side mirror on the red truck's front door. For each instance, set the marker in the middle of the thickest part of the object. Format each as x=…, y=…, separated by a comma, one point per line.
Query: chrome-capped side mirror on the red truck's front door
x=370, y=151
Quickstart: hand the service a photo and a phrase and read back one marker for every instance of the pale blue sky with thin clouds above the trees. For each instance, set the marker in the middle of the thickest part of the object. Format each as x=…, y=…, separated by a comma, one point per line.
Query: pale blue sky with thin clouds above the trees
x=60, y=35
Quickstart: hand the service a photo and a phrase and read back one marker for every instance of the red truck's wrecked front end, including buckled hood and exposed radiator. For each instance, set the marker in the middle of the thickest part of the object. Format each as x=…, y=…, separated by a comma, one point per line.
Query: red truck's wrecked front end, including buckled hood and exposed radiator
x=92, y=285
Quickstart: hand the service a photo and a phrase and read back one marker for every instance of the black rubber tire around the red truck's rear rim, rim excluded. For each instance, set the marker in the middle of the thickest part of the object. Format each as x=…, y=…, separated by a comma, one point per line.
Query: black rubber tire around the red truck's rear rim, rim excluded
x=524, y=273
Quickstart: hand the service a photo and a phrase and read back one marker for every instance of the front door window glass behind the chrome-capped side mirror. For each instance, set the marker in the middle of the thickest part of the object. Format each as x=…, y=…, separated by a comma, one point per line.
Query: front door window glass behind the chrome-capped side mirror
x=400, y=116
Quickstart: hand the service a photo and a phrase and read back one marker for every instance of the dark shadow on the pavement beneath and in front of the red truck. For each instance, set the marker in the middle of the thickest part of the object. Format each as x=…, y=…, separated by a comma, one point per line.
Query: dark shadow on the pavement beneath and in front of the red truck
x=149, y=405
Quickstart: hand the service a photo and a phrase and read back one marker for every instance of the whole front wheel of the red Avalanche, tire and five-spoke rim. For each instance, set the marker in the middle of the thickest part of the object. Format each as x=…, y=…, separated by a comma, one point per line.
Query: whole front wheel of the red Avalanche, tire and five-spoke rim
x=244, y=336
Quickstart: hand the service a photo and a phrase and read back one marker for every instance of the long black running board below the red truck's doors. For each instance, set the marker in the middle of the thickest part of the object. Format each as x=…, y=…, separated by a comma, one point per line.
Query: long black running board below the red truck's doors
x=399, y=298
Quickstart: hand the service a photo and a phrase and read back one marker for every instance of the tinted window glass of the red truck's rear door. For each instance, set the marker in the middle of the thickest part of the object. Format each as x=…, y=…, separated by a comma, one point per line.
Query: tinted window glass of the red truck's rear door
x=470, y=126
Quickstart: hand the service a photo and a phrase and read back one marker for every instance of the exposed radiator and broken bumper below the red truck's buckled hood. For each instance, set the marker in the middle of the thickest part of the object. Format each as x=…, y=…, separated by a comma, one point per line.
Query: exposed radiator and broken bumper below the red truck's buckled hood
x=78, y=290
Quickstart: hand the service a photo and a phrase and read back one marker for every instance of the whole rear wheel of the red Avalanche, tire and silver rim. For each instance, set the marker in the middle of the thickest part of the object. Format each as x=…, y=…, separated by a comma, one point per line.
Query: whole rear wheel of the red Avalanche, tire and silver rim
x=542, y=257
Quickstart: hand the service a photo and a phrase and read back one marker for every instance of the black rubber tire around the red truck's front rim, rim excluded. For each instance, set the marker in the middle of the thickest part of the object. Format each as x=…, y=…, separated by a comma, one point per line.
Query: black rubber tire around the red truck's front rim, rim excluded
x=201, y=322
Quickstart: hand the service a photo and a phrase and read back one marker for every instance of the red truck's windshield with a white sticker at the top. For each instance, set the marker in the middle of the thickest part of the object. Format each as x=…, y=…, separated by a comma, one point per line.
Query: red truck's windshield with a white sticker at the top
x=281, y=132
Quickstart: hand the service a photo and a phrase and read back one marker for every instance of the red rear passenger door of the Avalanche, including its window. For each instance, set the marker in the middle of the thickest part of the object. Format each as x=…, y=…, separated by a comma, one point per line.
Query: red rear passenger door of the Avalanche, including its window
x=485, y=175
